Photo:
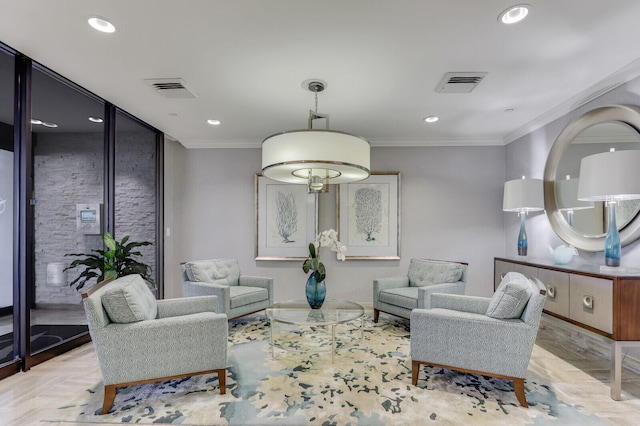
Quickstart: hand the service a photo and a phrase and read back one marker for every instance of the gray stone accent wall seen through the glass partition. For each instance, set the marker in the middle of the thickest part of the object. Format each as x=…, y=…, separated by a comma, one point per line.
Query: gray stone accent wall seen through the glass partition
x=68, y=170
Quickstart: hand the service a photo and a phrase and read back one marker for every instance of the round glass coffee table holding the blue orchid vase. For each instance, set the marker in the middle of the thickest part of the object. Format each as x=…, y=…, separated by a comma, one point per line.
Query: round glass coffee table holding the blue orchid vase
x=332, y=313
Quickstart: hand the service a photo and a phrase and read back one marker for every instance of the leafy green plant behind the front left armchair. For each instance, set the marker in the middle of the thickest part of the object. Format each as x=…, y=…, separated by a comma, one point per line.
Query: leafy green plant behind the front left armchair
x=117, y=261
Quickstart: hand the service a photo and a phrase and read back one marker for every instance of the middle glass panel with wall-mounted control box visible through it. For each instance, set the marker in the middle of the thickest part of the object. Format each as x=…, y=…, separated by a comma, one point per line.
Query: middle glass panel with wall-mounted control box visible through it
x=68, y=180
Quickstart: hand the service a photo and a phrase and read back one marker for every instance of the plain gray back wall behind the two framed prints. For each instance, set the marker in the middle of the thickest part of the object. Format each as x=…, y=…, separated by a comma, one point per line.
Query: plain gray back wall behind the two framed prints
x=451, y=201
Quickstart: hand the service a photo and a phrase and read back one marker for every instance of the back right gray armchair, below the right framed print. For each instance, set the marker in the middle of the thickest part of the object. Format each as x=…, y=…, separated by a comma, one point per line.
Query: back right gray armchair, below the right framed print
x=401, y=294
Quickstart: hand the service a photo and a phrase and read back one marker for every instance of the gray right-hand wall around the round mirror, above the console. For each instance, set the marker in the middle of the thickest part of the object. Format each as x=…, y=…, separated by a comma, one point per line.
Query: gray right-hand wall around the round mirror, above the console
x=528, y=155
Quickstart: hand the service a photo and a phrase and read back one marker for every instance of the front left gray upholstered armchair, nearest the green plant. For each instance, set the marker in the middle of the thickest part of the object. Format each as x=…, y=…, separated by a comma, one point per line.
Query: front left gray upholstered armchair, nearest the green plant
x=139, y=339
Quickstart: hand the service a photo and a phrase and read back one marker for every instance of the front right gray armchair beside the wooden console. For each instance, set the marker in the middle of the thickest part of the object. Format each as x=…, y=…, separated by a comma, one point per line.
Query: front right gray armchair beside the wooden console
x=488, y=336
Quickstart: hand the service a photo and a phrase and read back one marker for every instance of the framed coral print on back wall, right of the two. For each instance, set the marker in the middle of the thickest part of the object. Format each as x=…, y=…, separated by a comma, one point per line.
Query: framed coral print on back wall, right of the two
x=368, y=217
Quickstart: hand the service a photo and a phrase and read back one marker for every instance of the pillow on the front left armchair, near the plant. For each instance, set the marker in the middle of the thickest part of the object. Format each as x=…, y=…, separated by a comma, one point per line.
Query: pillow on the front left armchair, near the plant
x=128, y=299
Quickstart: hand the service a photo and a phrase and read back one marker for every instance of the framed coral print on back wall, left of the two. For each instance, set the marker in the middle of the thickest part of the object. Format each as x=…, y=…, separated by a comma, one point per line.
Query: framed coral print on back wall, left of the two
x=285, y=218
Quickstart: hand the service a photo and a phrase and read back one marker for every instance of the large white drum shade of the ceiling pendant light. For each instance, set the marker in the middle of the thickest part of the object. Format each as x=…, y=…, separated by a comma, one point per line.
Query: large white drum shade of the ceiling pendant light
x=291, y=156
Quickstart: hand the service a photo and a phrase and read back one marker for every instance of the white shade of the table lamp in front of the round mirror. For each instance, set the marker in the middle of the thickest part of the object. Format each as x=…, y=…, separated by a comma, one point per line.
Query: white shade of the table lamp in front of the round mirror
x=610, y=176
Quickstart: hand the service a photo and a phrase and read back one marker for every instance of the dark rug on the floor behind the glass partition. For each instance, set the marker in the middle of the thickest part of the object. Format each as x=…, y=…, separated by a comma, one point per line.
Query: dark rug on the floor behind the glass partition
x=42, y=336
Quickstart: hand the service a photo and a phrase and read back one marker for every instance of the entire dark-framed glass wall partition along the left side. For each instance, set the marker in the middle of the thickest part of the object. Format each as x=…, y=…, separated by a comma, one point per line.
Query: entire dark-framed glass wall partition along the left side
x=72, y=166
